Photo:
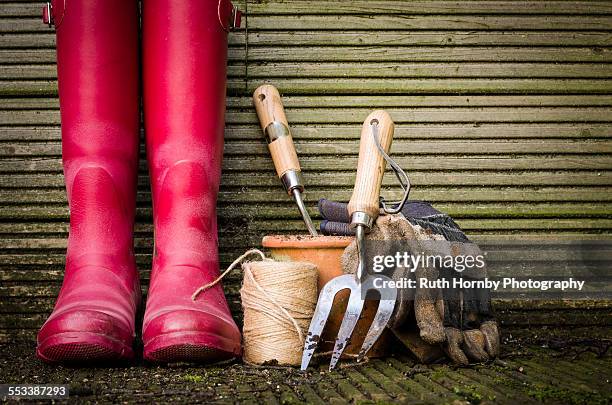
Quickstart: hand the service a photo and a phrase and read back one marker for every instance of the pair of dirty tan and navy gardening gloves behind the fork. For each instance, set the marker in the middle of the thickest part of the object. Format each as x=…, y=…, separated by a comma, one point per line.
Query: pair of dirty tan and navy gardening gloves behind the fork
x=459, y=319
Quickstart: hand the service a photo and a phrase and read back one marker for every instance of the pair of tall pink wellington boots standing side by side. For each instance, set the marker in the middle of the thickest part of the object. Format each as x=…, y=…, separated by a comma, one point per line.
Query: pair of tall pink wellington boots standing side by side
x=184, y=55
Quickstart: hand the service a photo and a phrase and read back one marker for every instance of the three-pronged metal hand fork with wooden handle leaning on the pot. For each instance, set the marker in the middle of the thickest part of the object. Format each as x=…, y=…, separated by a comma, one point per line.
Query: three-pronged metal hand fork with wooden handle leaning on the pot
x=363, y=208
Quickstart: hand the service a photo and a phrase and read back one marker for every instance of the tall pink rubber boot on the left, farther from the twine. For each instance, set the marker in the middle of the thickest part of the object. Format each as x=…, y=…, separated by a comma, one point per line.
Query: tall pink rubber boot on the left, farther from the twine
x=97, y=61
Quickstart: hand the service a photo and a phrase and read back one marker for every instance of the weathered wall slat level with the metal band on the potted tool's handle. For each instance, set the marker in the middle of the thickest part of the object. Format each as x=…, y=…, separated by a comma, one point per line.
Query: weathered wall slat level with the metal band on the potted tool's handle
x=466, y=131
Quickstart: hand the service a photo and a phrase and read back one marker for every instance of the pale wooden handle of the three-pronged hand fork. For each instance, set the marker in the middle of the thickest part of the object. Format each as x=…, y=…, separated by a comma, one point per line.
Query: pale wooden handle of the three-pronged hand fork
x=371, y=164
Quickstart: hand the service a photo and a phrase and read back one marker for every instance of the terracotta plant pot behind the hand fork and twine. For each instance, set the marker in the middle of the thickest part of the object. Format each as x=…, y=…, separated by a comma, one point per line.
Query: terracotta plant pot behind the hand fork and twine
x=325, y=253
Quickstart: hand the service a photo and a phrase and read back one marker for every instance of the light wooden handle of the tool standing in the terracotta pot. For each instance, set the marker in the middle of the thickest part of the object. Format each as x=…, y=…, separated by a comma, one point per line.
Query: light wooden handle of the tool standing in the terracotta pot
x=273, y=122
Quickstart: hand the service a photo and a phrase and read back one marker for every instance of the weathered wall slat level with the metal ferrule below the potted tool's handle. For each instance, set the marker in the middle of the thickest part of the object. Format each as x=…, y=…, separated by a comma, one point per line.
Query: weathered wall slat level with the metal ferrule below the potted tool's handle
x=346, y=179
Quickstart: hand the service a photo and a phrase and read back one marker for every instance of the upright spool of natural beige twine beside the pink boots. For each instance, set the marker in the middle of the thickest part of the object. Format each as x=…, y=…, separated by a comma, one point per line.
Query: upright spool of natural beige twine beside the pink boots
x=278, y=300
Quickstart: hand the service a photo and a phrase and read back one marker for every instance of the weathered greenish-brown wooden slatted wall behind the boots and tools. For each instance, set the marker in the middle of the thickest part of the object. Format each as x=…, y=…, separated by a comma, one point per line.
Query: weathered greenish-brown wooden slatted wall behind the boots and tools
x=503, y=112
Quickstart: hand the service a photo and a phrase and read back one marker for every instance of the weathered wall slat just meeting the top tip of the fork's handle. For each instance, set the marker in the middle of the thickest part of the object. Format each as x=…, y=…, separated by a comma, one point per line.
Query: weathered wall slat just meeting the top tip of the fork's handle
x=356, y=115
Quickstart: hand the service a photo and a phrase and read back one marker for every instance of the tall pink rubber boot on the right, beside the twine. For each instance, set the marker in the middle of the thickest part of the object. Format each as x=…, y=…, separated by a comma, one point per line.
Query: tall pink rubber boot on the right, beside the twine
x=184, y=68
